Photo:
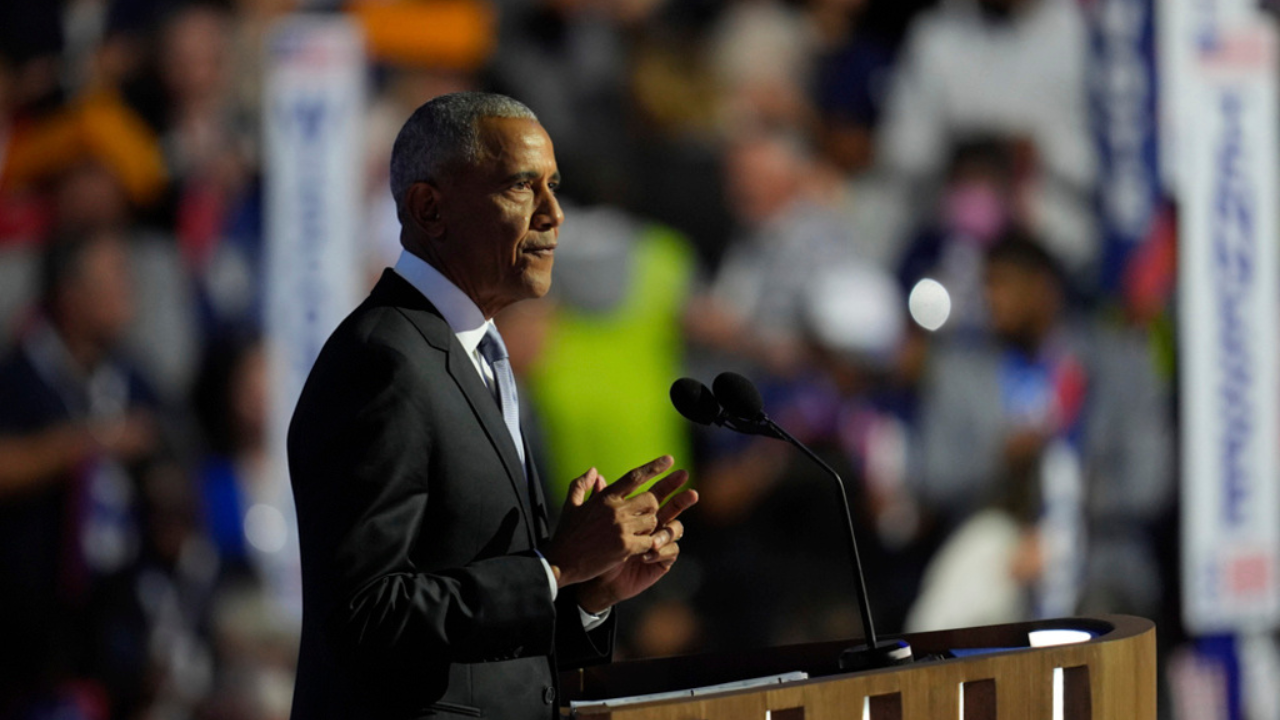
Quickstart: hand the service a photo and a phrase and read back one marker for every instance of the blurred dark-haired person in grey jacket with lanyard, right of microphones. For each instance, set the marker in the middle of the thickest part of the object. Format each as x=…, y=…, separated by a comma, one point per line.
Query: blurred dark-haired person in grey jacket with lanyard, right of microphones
x=1050, y=450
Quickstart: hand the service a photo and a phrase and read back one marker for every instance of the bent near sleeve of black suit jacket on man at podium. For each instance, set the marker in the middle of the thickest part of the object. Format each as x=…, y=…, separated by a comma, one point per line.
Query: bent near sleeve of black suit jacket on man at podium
x=360, y=452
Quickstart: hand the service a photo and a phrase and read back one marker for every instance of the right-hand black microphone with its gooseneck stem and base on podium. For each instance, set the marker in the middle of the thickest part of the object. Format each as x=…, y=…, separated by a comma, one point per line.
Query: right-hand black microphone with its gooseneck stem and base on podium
x=744, y=405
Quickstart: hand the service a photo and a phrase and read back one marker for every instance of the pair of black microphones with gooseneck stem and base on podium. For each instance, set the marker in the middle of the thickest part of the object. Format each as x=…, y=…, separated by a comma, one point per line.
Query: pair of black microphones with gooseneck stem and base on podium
x=735, y=403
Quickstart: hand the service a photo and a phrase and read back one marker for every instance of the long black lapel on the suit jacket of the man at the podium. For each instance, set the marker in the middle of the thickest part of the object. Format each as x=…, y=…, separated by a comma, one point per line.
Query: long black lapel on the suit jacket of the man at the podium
x=395, y=290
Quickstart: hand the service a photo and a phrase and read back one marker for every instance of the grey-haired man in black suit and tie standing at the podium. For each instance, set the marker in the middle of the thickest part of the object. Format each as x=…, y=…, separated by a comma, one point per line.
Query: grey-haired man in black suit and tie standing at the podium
x=432, y=582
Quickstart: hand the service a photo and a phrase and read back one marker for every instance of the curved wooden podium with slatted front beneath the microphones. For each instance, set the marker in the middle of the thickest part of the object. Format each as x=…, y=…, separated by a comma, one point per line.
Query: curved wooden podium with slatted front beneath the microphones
x=1110, y=677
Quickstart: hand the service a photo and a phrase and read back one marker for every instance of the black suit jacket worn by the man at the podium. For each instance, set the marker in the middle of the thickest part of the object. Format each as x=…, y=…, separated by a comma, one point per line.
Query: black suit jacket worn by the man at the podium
x=423, y=595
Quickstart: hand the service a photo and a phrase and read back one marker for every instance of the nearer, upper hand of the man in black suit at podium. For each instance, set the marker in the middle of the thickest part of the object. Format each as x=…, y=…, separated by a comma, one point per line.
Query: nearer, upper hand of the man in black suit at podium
x=597, y=535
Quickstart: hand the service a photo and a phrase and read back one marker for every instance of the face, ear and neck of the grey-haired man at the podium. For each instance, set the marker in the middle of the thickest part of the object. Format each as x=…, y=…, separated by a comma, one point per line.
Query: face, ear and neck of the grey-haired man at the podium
x=501, y=220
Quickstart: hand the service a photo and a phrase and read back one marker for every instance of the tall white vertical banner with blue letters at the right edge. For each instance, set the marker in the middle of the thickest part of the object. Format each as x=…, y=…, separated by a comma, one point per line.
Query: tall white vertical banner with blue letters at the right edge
x=1227, y=172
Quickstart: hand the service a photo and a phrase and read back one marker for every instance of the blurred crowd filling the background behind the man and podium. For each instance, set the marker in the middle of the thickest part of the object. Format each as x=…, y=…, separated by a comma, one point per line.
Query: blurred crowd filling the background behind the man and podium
x=881, y=211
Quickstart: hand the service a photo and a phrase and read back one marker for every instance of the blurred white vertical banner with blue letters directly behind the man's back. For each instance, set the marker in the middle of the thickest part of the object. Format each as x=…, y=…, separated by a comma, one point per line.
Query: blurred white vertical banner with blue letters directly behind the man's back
x=314, y=108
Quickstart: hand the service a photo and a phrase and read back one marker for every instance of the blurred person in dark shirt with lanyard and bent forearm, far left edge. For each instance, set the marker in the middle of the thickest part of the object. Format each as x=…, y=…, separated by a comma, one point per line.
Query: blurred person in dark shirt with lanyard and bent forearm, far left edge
x=75, y=420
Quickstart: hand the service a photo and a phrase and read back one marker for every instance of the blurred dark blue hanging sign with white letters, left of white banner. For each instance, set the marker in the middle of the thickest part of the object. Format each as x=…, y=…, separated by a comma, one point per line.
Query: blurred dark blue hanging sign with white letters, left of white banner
x=1123, y=107
